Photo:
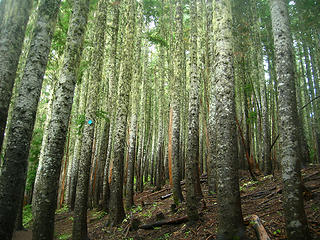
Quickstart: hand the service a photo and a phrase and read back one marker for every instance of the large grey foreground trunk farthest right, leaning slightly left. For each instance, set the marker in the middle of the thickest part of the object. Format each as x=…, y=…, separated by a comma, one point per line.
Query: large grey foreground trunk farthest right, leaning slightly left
x=296, y=222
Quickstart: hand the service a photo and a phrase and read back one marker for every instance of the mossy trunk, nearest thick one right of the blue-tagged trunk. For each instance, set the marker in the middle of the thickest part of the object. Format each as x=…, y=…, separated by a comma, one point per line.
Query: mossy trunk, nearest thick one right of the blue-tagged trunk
x=117, y=213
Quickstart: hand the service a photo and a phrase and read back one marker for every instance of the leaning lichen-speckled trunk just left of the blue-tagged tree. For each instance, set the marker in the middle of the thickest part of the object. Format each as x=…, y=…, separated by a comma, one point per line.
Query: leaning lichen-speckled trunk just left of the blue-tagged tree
x=47, y=180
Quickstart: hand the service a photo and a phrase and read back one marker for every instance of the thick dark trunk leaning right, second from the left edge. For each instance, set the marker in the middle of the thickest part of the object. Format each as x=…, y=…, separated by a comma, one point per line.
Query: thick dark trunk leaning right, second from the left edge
x=15, y=164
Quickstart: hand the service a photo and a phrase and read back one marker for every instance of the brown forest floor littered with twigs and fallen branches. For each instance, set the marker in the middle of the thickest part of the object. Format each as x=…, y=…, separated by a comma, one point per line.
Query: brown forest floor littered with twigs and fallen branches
x=261, y=198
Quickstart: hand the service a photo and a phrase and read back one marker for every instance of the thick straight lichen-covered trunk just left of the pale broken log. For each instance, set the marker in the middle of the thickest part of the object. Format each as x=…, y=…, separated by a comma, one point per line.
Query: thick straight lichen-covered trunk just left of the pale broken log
x=229, y=207
